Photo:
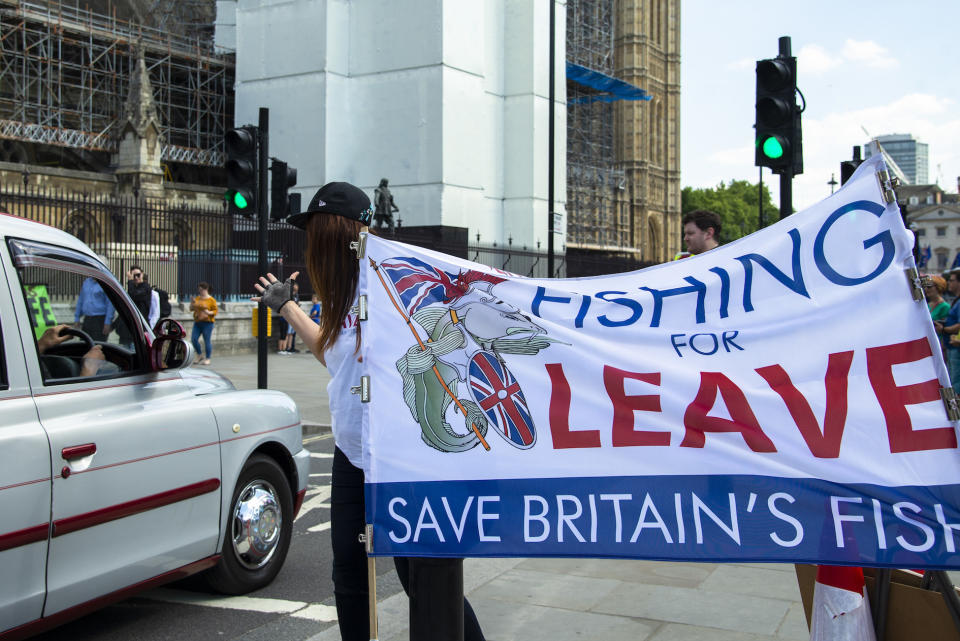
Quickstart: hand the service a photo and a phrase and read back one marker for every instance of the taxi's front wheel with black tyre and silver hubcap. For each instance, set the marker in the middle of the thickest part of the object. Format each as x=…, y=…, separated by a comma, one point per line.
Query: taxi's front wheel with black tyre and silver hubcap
x=259, y=529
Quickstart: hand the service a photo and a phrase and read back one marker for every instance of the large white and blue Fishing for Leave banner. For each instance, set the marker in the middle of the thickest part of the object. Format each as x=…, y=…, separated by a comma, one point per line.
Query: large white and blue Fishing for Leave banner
x=774, y=399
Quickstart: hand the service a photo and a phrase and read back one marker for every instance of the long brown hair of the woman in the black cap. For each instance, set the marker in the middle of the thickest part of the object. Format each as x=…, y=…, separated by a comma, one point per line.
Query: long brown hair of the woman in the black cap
x=334, y=271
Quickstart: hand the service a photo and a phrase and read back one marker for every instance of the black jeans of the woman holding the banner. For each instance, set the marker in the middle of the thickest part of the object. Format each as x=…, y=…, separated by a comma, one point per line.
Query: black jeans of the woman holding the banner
x=350, y=558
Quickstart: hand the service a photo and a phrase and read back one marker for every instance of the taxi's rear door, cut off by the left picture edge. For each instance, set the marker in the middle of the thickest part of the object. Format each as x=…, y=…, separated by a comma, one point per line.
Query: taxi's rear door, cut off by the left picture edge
x=24, y=479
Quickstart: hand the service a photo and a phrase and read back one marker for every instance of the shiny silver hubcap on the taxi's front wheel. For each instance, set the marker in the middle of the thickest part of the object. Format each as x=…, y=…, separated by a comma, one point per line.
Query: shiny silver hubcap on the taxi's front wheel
x=257, y=522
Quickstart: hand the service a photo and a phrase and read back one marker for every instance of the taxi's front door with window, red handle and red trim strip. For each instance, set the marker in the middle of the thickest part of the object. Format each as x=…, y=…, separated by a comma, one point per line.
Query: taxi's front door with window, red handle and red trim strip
x=136, y=455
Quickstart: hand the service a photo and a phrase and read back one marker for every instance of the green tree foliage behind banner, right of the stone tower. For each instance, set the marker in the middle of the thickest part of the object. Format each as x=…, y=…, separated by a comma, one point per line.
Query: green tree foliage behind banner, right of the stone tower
x=735, y=202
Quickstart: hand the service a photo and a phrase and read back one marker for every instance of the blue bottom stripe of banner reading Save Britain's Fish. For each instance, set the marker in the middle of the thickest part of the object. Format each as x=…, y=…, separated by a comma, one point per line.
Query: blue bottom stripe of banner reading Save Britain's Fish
x=685, y=518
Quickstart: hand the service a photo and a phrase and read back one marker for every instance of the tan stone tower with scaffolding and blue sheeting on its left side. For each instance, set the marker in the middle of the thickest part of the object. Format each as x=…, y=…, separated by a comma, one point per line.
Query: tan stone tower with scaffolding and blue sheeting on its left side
x=623, y=151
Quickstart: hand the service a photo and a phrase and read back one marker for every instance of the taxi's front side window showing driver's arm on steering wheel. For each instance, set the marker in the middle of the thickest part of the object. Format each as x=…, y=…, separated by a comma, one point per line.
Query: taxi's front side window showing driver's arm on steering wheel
x=82, y=327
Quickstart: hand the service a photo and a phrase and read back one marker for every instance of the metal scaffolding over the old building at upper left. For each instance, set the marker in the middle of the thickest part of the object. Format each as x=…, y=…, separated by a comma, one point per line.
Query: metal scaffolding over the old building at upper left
x=65, y=74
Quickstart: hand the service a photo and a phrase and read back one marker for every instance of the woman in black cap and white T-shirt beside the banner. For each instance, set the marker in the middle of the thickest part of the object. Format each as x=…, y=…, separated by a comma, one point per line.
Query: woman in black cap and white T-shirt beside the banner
x=332, y=221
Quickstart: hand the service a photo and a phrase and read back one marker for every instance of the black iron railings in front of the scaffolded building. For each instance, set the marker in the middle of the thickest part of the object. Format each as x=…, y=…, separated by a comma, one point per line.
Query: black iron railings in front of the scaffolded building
x=181, y=244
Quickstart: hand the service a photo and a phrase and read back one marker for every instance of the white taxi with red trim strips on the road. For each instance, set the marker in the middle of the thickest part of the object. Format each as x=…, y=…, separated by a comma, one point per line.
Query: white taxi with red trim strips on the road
x=121, y=467
